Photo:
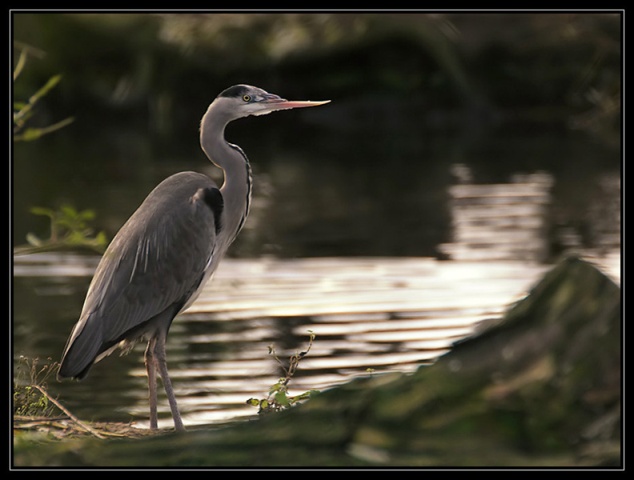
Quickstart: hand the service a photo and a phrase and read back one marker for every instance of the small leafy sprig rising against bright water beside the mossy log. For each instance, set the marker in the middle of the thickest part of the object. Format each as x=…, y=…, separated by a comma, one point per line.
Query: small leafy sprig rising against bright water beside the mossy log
x=278, y=398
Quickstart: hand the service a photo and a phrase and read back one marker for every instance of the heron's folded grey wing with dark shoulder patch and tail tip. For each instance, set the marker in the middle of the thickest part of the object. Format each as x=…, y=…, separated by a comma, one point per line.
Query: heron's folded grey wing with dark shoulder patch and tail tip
x=155, y=263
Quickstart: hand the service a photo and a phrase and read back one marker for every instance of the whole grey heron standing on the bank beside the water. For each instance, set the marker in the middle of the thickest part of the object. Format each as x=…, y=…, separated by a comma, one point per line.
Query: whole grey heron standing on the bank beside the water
x=159, y=261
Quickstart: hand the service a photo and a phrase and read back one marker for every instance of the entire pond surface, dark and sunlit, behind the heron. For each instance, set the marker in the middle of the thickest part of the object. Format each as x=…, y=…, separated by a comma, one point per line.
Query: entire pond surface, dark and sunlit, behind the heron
x=348, y=216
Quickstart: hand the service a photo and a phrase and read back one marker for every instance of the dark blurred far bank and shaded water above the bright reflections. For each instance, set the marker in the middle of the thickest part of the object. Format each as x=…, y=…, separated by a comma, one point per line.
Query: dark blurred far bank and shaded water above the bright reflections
x=412, y=95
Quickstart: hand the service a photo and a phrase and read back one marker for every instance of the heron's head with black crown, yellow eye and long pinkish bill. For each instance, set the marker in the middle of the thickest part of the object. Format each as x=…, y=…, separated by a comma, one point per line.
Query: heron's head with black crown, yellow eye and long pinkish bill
x=243, y=100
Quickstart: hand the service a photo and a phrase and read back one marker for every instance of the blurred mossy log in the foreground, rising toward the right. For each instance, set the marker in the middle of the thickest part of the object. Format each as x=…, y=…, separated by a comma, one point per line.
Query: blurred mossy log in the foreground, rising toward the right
x=542, y=387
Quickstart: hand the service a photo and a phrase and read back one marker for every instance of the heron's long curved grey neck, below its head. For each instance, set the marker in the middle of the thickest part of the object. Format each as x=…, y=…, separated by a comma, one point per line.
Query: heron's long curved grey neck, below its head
x=236, y=189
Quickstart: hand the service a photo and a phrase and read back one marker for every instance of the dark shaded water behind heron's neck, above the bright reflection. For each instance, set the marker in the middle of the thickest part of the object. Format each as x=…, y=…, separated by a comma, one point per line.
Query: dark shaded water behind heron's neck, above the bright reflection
x=338, y=182
